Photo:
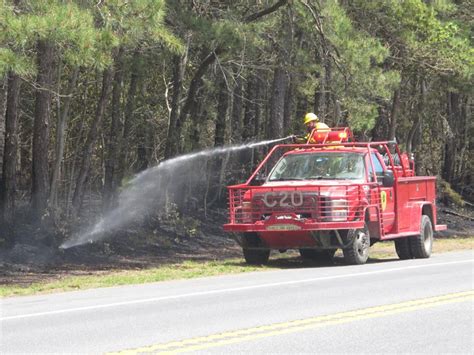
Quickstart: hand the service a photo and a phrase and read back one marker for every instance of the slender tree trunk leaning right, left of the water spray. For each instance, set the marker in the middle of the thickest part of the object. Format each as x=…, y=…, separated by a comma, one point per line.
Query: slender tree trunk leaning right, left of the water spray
x=90, y=142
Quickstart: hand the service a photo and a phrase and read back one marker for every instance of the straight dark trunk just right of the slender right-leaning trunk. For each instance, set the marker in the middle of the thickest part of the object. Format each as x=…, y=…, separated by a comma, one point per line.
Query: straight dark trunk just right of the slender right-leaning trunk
x=112, y=161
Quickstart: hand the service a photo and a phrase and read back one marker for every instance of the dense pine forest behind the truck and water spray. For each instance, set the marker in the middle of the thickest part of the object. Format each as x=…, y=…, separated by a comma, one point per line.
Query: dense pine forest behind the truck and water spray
x=94, y=92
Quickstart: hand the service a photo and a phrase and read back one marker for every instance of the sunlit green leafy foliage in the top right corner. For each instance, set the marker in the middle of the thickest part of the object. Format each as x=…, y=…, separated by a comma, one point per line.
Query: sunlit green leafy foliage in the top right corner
x=425, y=34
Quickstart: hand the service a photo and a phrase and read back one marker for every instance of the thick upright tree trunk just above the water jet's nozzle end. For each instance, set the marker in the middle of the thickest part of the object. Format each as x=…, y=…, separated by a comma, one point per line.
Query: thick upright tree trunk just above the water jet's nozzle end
x=277, y=103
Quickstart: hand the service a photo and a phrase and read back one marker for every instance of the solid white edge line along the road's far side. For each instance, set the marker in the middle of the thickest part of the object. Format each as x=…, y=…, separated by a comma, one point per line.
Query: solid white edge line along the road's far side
x=226, y=290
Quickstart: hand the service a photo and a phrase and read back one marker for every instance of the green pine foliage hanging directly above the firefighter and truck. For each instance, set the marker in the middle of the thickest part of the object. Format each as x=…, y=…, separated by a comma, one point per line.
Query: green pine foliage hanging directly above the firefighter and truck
x=358, y=73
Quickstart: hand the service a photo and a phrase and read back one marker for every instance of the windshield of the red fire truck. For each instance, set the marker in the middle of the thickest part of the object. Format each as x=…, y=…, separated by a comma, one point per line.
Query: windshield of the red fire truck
x=314, y=166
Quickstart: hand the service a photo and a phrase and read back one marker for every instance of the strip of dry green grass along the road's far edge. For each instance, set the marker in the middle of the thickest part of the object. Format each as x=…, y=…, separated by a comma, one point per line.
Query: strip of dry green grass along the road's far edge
x=194, y=269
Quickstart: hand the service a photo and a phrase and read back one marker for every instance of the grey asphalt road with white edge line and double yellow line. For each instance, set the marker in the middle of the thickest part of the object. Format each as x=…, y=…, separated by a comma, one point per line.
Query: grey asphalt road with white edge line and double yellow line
x=414, y=306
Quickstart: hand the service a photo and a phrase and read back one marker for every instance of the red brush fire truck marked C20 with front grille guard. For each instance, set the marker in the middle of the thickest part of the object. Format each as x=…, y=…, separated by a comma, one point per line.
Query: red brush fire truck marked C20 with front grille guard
x=335, y=194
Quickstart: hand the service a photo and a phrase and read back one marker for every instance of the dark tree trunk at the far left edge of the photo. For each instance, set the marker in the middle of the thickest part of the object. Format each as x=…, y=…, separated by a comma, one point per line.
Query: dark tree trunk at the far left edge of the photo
x=8, y=180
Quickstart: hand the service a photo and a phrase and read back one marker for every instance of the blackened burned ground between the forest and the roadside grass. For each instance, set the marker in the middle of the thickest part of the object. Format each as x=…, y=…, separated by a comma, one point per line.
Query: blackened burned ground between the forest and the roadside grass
x=36, y=257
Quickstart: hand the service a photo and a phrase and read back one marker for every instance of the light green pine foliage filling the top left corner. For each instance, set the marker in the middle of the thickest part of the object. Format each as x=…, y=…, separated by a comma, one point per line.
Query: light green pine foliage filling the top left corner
x=83, y=36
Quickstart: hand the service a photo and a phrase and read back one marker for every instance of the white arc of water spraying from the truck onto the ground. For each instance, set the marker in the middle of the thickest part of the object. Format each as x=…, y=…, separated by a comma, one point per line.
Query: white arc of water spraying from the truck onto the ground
x=144, y=190
